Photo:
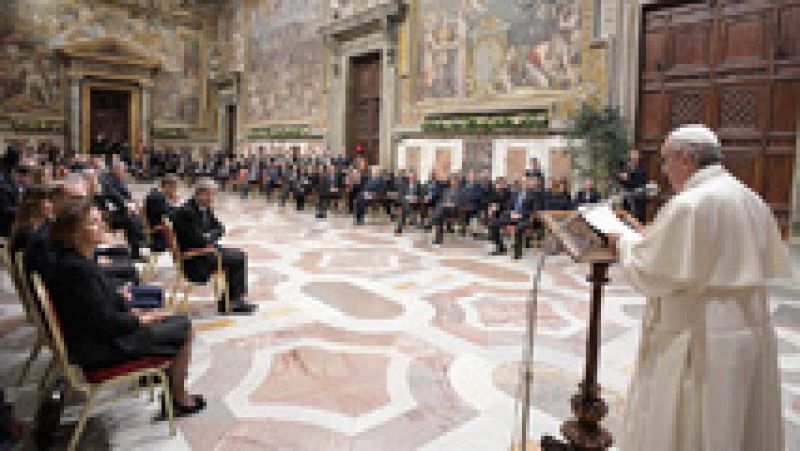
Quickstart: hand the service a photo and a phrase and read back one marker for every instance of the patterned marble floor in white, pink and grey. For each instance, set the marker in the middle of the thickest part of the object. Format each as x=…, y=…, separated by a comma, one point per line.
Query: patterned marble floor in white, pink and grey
x=368, y=341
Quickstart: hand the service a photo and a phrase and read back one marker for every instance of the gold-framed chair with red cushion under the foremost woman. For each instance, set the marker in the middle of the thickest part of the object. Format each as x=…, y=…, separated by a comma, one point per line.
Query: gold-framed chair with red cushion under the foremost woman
x=93, y=383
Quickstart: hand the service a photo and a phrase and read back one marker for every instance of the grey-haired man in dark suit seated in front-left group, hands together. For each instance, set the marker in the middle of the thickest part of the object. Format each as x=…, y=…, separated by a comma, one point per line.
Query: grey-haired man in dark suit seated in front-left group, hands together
x=196, y=227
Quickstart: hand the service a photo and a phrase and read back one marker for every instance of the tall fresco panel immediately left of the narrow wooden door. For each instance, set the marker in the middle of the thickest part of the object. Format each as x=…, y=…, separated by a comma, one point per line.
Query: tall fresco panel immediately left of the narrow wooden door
x=285, y=61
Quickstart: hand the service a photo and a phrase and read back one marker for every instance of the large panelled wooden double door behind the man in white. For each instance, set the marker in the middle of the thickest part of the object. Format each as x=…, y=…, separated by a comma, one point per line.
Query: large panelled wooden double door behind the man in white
x=733, y=65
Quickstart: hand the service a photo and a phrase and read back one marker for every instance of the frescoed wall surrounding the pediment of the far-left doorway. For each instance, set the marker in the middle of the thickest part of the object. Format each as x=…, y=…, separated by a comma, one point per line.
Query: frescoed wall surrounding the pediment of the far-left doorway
x=31, y=29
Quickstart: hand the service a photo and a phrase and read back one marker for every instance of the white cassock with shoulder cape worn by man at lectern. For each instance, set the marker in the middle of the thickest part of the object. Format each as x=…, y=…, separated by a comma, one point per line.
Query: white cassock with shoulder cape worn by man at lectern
x=707, y=371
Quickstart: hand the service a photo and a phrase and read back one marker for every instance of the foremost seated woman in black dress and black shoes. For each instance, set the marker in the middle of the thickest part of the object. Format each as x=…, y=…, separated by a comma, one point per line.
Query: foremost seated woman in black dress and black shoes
x=99, y=329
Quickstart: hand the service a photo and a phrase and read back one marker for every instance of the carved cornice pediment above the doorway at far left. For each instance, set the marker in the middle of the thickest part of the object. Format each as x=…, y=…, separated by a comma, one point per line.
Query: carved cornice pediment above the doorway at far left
x=109, y=50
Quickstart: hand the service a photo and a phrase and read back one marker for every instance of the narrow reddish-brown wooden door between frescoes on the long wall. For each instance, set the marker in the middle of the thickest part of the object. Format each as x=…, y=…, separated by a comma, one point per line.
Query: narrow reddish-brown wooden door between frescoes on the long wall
x=364, y=109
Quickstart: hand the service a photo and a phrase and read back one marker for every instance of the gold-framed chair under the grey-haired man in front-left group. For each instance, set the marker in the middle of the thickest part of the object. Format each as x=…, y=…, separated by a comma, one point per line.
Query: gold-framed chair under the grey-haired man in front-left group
x=183, y=284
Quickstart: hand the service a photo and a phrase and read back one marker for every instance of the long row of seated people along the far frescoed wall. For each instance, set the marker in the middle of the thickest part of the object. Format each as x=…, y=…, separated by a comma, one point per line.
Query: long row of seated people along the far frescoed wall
x=436, y=204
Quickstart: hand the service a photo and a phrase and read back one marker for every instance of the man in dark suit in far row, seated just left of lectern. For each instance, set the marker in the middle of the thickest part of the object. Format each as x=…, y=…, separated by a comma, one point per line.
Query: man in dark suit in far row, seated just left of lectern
x=523, y=205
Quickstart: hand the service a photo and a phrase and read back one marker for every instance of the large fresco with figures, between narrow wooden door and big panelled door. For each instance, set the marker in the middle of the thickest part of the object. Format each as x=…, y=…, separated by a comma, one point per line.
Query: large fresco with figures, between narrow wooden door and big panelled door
x=475, y=48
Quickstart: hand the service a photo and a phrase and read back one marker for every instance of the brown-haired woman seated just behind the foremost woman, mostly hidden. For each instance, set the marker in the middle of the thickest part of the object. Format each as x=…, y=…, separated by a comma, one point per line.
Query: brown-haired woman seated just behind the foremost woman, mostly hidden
x=34, y=210
